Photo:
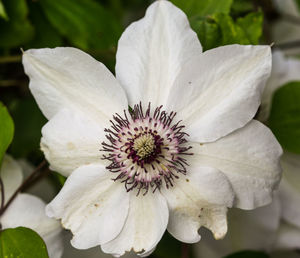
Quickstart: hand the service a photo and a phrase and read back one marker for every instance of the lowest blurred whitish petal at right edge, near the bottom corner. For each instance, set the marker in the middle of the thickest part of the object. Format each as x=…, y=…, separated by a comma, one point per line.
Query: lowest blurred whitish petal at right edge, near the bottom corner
x=288, y=237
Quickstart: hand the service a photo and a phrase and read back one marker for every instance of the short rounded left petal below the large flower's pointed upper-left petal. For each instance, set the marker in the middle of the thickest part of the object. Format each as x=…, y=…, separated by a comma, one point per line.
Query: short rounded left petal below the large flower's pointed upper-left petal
x=70, y=140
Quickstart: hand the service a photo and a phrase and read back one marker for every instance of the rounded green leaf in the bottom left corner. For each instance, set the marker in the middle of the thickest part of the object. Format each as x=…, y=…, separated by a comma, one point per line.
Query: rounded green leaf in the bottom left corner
x=22, y=243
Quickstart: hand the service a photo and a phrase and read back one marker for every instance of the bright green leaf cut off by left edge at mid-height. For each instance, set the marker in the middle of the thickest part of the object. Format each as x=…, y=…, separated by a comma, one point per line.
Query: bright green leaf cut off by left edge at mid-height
x=6, y=130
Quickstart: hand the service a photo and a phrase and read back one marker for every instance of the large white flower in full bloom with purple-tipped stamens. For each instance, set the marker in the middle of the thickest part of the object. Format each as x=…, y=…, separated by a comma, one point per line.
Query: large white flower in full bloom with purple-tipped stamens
x=157, y=183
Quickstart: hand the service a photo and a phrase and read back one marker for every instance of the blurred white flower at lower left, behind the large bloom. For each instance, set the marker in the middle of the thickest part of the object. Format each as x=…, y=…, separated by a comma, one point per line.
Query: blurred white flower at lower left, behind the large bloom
x=27, y=210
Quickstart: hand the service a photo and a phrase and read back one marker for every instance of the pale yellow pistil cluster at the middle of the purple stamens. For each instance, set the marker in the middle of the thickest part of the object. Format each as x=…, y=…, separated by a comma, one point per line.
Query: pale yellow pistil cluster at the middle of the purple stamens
x=144, y=145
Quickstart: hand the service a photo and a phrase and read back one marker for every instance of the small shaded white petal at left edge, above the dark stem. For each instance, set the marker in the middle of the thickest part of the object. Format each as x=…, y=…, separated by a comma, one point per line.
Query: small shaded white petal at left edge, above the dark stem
x=11, y=175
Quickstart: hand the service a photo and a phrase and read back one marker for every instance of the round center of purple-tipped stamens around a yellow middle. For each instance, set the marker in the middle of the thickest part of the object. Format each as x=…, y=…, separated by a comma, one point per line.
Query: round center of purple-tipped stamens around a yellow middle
x=146, y=150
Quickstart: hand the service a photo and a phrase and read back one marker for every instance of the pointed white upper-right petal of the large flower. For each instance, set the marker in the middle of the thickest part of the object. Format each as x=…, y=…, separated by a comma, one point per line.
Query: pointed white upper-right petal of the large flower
x=219, y=91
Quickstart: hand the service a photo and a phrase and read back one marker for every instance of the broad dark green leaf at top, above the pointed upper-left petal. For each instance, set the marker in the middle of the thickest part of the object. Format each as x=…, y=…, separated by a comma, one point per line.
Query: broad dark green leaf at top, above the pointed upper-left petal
x=85, y=23
